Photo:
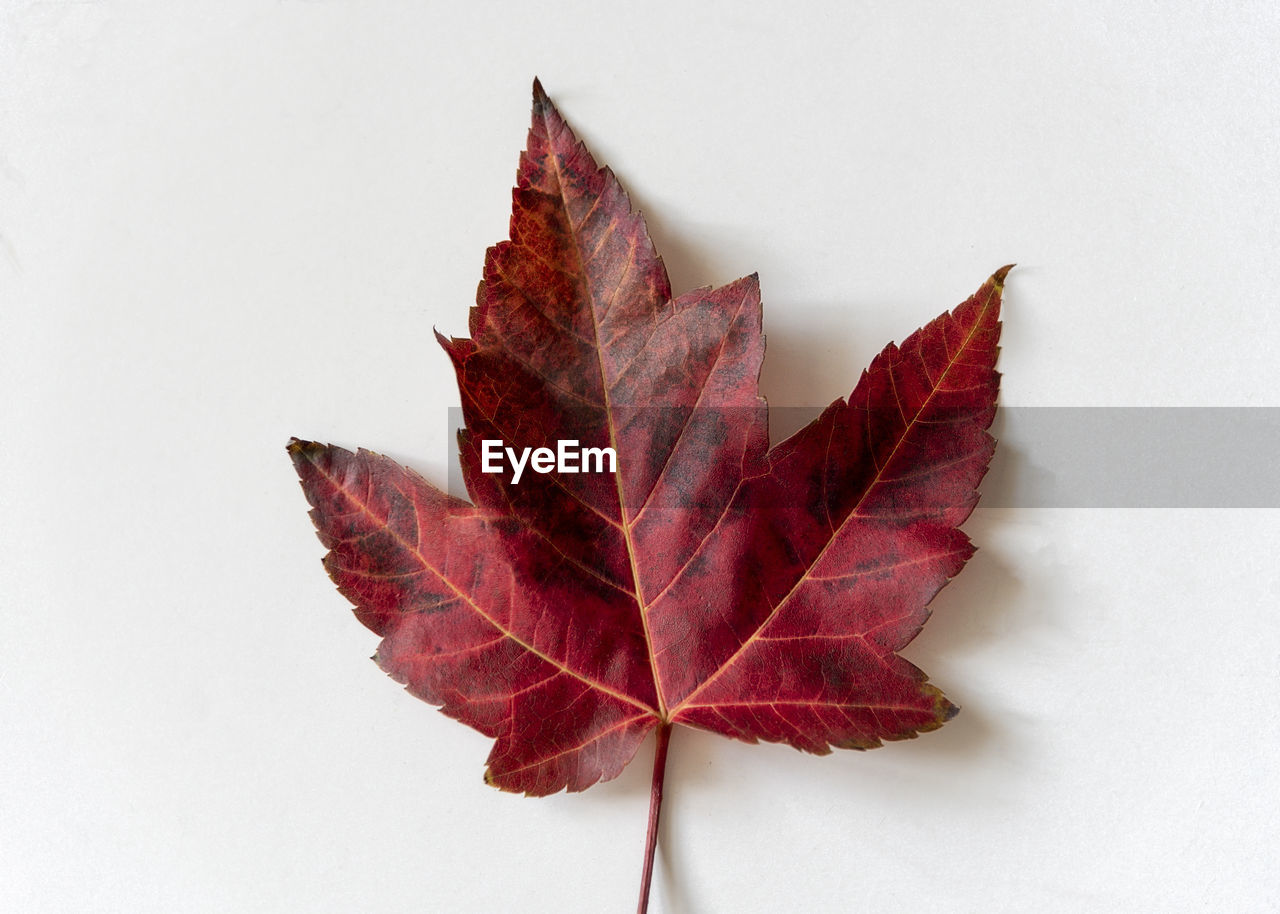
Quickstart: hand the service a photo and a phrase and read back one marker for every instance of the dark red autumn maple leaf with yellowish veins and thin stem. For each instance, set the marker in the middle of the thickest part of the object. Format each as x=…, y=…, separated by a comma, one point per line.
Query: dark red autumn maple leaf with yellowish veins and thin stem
x=703, y=579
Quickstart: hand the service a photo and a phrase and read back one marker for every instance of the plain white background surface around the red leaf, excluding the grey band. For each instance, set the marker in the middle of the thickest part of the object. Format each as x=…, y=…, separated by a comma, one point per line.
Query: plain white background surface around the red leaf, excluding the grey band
x=227, y=223
